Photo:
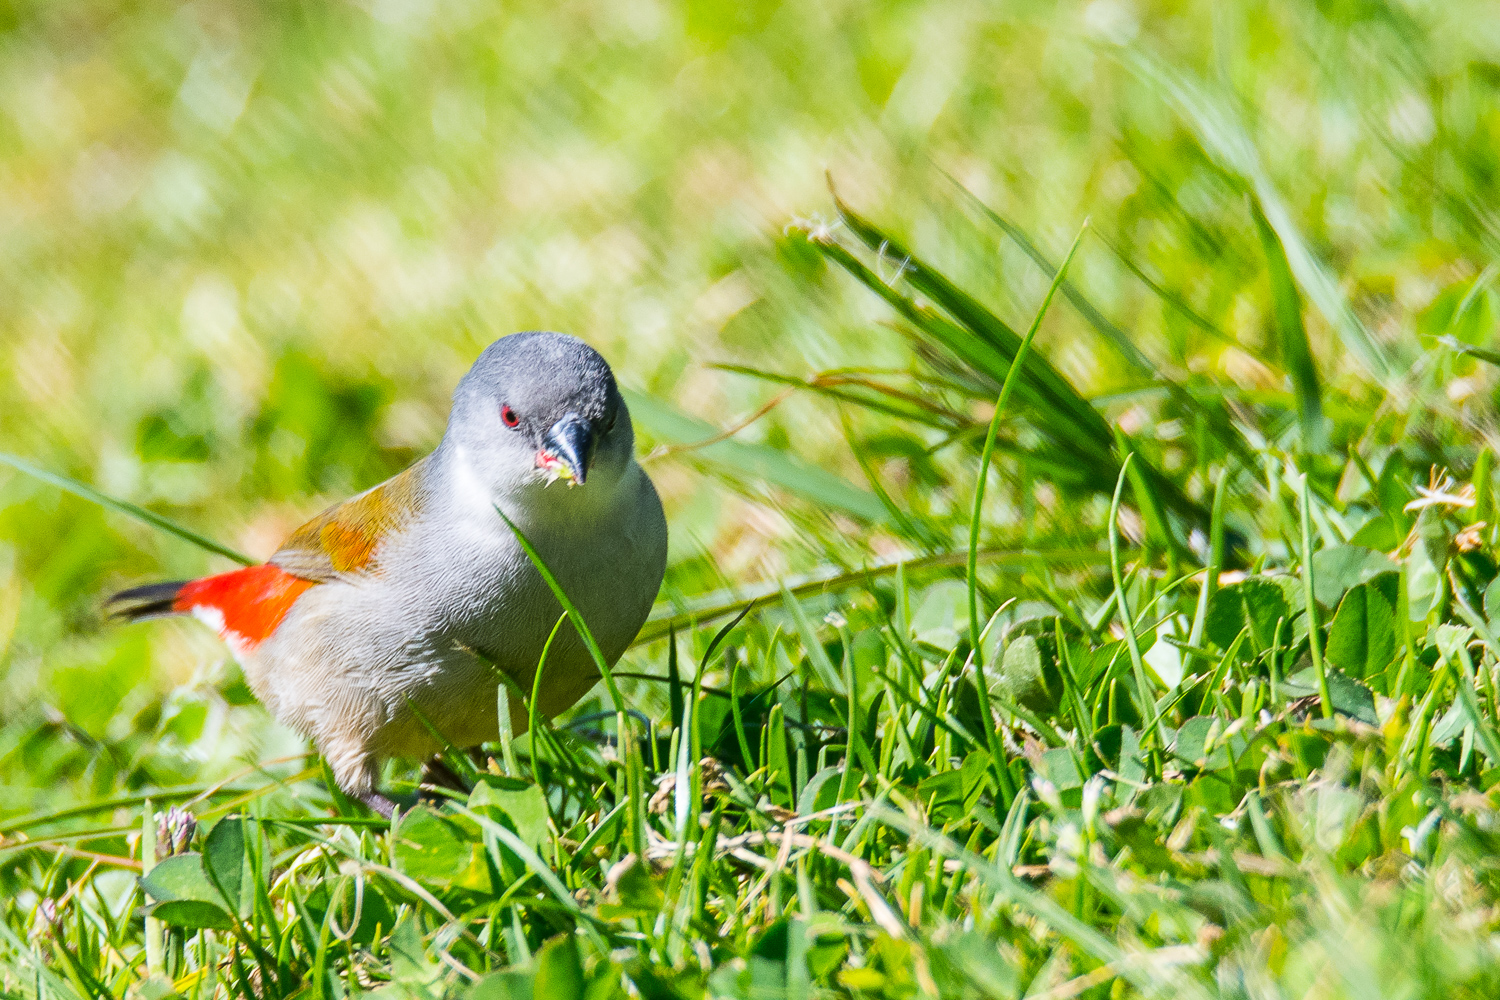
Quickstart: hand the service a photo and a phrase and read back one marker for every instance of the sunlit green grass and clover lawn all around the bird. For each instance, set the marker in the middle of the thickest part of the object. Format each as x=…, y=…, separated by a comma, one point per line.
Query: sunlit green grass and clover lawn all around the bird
x=1231, y=582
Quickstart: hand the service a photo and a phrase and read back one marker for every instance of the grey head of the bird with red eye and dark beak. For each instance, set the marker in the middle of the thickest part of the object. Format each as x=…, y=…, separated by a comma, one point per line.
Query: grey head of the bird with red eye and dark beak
x=539, y=407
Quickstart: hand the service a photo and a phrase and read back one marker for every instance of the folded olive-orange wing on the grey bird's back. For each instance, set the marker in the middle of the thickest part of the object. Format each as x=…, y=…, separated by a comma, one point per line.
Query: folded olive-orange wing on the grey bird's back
x=346, y=540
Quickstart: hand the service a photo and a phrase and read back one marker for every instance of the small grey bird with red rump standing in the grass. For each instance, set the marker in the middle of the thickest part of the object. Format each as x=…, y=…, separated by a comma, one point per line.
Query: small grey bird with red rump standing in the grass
x=392, y=611
